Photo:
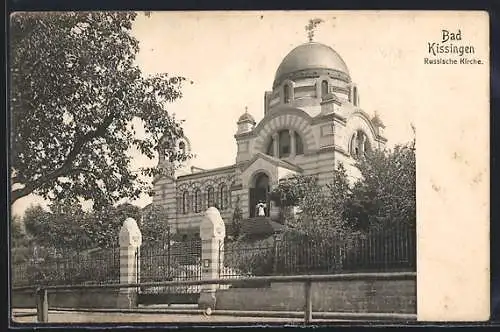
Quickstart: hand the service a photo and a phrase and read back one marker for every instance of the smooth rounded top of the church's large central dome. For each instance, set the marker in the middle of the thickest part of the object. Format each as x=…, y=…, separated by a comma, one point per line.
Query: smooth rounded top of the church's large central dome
x=311, y=56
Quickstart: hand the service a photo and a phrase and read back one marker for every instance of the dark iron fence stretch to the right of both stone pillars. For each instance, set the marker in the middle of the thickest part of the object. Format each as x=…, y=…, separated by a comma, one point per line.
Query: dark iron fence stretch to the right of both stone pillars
x=378, y=251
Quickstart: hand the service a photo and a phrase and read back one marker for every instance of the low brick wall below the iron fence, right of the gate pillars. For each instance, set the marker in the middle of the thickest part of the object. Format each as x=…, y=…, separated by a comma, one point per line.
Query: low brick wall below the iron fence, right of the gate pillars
x=378, y=296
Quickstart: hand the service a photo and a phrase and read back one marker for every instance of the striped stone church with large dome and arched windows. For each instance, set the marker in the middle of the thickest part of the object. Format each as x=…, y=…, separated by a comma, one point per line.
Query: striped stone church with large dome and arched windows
x=311, y=121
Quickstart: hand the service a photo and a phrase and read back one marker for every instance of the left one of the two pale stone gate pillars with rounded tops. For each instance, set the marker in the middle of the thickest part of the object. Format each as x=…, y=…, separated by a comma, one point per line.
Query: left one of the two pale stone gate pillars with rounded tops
x=130, y=241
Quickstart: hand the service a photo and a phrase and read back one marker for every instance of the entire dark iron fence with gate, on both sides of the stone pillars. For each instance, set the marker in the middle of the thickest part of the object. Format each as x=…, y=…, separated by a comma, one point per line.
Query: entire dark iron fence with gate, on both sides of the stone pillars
x=382, y=251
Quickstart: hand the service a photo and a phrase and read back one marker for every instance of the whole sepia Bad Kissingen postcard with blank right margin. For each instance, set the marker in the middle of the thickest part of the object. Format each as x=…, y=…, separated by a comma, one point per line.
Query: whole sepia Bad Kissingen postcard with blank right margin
x=249, y=167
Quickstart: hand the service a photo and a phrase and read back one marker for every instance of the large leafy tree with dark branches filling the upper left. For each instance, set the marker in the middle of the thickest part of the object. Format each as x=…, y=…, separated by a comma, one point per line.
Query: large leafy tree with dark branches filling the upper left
x=75, y=91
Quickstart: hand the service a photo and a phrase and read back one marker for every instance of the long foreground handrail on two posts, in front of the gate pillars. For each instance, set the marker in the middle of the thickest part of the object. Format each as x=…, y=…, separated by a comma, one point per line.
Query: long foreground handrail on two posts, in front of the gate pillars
x=42, y=298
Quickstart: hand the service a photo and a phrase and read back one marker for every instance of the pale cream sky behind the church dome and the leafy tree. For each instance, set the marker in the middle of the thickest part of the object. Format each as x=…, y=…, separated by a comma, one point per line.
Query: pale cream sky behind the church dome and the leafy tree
x=232, y=59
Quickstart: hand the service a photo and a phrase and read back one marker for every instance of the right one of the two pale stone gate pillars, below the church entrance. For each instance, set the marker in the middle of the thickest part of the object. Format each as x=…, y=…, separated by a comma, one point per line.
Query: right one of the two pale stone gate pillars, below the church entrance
x=212, y=233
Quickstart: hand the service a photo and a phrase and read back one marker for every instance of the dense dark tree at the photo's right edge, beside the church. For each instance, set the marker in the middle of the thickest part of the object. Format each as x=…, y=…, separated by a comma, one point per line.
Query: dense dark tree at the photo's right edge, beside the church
x=386, y=193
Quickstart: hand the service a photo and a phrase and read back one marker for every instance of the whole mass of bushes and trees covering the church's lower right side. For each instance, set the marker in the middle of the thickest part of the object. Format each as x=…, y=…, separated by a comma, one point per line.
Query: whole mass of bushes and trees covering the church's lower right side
x=383, y=196
